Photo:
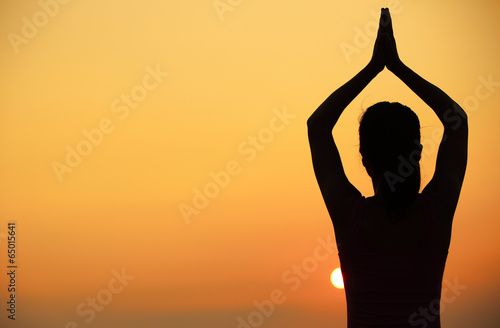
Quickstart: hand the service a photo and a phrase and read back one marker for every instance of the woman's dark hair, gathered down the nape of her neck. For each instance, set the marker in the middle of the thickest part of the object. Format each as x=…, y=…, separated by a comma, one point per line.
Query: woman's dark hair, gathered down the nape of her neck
x=389, y=143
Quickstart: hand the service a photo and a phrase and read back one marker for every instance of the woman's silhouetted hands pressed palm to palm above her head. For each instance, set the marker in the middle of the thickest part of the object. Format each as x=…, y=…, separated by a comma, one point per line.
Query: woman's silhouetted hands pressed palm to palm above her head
x=385, y=53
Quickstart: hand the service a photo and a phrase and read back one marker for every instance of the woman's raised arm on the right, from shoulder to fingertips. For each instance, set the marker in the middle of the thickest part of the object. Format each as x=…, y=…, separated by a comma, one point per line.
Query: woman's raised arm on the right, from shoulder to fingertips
x=444, y=187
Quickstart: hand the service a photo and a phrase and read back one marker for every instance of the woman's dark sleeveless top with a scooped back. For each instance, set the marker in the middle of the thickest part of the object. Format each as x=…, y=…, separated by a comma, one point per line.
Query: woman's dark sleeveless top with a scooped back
x=393, y=288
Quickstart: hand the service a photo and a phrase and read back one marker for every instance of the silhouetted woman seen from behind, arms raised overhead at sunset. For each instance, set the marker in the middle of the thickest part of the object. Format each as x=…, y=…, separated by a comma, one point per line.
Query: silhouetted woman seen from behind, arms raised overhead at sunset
x=392, y=246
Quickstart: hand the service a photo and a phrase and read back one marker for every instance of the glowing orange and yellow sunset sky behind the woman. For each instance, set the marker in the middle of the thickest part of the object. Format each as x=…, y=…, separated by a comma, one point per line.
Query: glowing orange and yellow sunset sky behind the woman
x=251, y=70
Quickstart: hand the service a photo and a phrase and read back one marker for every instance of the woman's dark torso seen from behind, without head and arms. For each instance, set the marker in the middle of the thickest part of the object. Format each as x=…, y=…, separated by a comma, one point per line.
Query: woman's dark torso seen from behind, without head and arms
x=392, y=270
